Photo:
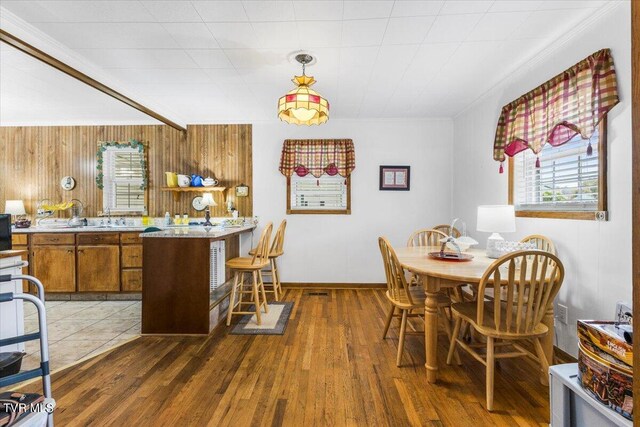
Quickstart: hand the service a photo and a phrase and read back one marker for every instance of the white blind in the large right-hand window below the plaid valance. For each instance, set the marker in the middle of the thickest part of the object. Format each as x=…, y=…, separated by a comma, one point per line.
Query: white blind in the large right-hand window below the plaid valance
x=567, y=179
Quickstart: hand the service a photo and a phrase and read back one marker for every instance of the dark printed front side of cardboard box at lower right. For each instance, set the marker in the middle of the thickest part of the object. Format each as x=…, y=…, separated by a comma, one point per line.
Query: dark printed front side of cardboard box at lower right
x=607, y=384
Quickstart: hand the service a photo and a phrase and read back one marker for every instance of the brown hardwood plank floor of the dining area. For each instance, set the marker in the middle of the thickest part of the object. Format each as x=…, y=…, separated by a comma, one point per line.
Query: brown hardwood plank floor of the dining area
x=330, y=368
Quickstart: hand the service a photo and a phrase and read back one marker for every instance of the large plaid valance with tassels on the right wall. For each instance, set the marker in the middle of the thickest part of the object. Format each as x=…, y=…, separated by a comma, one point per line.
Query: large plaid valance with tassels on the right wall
x=571, y=103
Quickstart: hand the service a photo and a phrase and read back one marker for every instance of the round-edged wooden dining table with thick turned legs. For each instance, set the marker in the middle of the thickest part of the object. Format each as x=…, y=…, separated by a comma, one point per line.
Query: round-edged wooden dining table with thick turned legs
x=436, y=275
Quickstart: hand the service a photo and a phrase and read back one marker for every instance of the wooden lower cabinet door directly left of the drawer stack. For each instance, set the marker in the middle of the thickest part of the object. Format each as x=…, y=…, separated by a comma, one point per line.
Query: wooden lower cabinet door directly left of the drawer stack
x=98, y=268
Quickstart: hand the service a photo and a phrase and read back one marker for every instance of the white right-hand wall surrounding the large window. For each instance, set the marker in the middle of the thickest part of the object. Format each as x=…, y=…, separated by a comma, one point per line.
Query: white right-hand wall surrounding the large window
x=597, y=255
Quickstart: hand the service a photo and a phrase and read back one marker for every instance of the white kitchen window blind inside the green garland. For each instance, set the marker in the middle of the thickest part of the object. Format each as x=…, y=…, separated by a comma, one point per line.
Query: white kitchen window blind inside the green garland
x=123, y=180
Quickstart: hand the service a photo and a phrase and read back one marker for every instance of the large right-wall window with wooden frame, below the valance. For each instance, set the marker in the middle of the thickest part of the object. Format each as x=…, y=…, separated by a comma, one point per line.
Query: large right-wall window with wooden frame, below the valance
x=568, y=184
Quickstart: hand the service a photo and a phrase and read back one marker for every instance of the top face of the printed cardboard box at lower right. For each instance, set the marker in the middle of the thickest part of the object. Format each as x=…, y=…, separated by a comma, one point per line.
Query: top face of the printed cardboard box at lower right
x=605, y=340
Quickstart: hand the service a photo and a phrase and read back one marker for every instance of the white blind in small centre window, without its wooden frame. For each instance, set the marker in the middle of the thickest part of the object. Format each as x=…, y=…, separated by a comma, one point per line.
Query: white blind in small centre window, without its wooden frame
x=324, y=193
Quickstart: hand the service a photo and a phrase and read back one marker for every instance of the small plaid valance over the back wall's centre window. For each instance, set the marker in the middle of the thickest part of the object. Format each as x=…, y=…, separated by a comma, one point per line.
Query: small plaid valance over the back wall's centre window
x=317, y=157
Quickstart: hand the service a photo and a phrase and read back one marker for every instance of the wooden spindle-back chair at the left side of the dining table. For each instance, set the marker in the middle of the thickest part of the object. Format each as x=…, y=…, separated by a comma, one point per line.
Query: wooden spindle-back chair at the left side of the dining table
x=404, y=298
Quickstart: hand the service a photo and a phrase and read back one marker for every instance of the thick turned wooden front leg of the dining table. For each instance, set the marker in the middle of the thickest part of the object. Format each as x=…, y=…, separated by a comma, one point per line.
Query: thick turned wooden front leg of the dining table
x=432, y=286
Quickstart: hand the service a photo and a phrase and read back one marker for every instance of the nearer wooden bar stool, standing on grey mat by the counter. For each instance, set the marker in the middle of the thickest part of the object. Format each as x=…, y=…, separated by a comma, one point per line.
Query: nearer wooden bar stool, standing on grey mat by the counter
x=254, y=266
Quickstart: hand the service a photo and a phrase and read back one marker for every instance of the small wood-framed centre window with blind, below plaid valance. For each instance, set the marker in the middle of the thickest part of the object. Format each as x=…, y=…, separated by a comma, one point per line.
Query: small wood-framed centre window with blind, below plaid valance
x=324, y=195
